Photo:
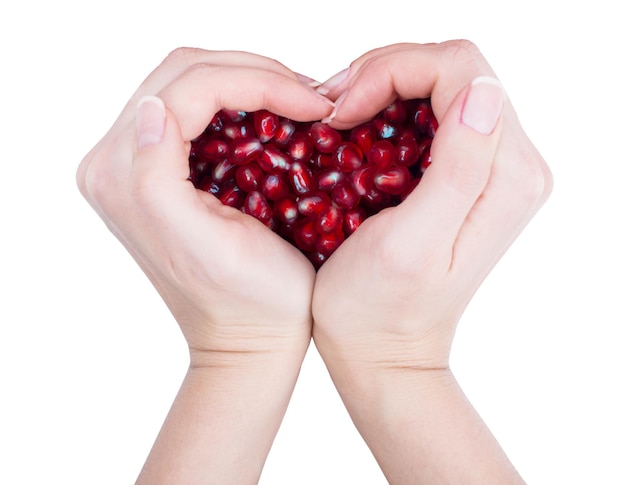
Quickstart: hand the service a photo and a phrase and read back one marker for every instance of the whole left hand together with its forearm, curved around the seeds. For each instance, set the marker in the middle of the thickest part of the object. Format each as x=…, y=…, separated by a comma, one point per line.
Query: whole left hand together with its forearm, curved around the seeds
x=240, y=294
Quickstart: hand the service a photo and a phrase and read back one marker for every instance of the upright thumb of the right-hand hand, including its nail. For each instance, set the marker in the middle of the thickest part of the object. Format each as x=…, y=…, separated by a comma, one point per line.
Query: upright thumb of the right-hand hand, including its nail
x=463, y=153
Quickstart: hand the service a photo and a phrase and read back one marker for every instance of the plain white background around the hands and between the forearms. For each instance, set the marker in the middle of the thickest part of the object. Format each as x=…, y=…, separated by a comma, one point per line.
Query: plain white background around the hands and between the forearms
x=90, y=359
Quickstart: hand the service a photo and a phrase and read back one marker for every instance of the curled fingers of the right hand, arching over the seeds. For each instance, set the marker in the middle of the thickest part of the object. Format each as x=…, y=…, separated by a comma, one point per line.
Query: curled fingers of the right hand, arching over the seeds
x=438, y=71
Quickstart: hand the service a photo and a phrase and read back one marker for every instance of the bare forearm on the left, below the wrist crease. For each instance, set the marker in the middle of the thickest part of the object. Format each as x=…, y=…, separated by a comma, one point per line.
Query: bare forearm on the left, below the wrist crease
x=223, y=421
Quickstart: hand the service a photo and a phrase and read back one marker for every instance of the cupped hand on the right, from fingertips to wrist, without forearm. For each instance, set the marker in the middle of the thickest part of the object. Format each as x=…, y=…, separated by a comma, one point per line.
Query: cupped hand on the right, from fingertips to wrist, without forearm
x=392, y=294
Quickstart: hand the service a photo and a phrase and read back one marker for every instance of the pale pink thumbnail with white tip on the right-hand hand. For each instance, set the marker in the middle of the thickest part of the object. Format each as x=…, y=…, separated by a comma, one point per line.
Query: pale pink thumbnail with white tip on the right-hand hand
x=483, y=105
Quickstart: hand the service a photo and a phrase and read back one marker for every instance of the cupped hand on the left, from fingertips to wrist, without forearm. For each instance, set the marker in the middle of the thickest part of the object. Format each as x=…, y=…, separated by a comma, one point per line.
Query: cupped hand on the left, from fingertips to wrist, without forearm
x=232, y=284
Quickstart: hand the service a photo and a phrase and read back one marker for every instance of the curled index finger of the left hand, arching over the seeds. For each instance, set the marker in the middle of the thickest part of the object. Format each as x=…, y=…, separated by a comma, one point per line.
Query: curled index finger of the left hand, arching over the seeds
x=204, y=89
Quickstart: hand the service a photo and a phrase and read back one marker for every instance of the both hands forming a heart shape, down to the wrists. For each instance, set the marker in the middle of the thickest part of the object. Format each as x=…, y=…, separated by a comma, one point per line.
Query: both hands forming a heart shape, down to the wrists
x=390, y=297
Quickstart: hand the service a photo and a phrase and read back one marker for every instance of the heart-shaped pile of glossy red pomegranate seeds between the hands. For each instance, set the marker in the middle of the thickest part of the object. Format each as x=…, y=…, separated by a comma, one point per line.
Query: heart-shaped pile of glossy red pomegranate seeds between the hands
x=311, y=184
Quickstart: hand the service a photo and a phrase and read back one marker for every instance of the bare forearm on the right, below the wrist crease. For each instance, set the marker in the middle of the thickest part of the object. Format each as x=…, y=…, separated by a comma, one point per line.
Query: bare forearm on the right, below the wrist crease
x=420, y=426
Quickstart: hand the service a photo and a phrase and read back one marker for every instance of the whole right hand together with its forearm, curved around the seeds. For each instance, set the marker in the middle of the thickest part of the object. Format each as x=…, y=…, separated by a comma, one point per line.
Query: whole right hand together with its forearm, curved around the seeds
x=387, y=303
